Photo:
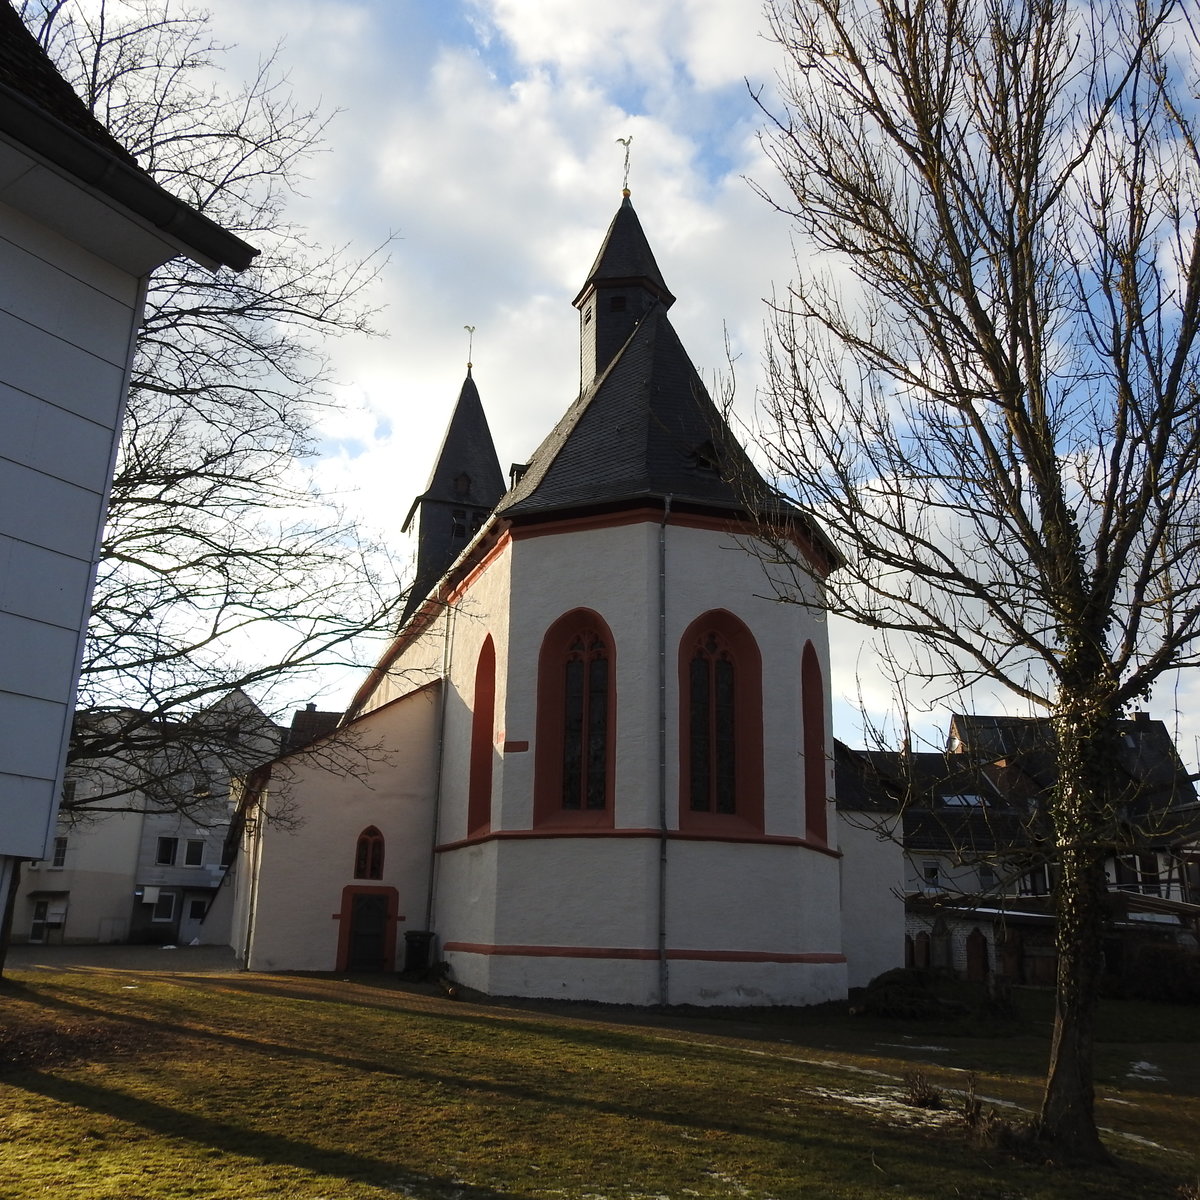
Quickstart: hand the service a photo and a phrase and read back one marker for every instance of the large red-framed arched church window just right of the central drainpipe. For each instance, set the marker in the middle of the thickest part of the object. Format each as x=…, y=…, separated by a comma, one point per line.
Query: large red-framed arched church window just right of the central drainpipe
x=721, y=728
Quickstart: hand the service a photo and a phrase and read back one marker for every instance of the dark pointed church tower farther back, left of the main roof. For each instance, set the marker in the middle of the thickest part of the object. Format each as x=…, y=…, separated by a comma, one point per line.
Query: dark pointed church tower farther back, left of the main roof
x=465, y=485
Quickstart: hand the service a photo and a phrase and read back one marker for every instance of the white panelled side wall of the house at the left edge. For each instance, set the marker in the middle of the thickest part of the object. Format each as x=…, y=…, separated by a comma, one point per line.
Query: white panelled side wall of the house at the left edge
x=67, y=323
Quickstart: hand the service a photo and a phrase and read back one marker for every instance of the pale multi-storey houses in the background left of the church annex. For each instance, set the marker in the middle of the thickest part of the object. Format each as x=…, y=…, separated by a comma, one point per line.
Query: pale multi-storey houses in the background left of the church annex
x=155, y=873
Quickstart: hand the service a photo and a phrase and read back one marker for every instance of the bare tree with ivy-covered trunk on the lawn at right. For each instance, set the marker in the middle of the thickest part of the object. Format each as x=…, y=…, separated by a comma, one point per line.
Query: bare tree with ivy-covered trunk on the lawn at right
x=995, y=411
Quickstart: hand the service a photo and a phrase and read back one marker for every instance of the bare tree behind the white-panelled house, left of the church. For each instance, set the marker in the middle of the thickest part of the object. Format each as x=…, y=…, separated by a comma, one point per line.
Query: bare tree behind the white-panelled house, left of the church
x=223, y=566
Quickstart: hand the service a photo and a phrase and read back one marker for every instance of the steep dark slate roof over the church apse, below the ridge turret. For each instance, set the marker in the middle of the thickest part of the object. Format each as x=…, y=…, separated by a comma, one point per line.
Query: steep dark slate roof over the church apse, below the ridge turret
x=646, y=430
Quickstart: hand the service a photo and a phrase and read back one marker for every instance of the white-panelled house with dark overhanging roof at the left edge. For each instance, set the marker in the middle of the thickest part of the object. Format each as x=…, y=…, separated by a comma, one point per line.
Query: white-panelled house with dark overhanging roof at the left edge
x=82, y=227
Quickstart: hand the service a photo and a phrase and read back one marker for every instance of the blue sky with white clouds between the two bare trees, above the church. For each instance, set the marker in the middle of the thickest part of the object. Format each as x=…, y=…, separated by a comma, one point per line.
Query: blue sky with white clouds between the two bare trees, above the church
x=482, y=135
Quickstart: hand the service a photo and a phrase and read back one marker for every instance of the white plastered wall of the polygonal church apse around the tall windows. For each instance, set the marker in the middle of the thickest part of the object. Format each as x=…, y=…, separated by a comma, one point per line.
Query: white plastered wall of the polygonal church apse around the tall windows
x=590, y=904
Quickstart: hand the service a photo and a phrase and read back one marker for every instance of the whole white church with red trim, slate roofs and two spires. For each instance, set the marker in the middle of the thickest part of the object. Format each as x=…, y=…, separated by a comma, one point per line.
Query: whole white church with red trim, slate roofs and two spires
x=602, y=761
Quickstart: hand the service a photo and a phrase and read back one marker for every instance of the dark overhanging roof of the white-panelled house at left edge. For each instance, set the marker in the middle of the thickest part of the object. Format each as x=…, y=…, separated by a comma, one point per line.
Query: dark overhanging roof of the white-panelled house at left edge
x=41, y=112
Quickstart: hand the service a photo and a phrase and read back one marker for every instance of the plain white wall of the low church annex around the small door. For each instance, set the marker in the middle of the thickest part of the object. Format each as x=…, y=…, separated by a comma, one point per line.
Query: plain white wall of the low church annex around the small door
x=298, y=875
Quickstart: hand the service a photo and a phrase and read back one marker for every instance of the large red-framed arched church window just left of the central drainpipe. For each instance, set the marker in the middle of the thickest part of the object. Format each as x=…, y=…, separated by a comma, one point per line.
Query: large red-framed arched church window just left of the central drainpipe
x=575, y=753
